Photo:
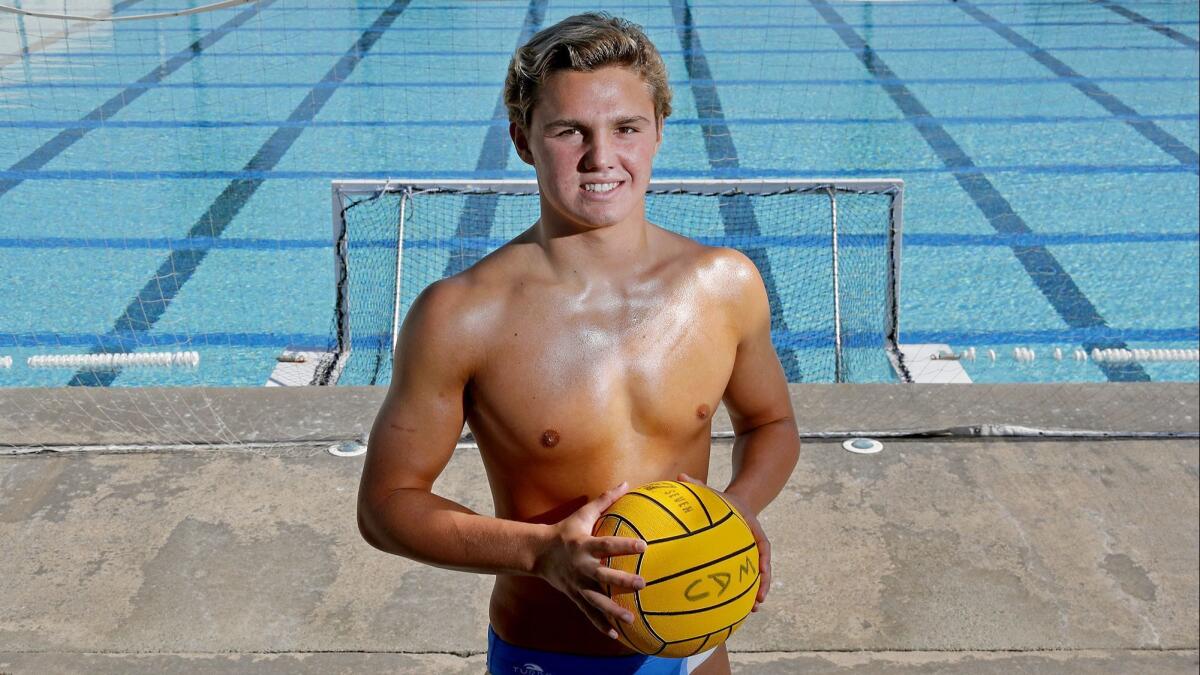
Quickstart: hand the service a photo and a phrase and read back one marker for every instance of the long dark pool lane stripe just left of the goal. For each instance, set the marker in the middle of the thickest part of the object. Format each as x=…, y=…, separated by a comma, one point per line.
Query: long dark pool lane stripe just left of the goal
x=153, y=301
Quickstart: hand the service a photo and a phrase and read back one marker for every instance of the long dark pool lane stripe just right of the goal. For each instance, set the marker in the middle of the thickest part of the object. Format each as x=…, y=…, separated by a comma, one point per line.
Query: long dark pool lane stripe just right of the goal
x=1047, y=273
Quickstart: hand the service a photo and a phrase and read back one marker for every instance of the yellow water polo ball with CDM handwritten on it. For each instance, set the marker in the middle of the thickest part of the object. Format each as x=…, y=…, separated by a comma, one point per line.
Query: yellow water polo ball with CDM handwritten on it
x=700, y=566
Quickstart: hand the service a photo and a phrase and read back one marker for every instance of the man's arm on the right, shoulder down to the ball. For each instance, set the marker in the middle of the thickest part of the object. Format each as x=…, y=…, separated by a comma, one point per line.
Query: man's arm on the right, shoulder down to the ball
x=766, y=444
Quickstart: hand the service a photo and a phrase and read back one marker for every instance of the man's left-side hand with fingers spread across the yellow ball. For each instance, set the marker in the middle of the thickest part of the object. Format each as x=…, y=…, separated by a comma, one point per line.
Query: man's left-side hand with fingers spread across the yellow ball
x=572, y=564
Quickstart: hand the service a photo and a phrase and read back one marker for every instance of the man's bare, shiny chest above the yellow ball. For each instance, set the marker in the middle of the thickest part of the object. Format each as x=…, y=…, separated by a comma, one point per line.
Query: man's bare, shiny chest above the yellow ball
x=634, y=375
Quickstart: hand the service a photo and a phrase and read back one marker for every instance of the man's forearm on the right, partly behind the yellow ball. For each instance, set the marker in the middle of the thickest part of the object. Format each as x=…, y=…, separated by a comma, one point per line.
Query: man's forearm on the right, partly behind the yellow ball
x=764, y=459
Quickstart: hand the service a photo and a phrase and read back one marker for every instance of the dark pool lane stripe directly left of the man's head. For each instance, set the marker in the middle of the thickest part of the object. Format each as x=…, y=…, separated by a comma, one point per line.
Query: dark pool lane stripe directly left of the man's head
x=479, y=211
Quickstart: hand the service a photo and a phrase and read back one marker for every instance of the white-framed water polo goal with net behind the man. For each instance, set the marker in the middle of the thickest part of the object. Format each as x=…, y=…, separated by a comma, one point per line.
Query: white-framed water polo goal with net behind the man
x=829, y=253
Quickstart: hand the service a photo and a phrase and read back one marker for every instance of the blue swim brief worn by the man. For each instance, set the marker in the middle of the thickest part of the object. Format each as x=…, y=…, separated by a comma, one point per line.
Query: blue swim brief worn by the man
x=511, y=660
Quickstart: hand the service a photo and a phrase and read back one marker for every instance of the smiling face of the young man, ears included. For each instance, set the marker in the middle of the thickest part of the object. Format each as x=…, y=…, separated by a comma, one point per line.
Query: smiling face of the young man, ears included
x=592, y=140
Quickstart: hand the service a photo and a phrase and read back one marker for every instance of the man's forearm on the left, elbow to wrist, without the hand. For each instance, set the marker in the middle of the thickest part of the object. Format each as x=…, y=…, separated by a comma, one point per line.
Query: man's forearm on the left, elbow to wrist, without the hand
x=423, y=527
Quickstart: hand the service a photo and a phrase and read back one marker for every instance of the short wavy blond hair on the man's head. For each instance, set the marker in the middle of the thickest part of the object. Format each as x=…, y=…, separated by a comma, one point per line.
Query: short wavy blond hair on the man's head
x=584, y=43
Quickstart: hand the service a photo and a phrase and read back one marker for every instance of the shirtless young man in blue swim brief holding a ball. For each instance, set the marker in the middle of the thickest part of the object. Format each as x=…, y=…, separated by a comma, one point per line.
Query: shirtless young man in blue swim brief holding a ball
x=589, y=353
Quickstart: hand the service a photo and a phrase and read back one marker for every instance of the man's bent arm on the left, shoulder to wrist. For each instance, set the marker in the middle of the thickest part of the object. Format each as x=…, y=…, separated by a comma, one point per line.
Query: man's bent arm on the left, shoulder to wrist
x=412, y=441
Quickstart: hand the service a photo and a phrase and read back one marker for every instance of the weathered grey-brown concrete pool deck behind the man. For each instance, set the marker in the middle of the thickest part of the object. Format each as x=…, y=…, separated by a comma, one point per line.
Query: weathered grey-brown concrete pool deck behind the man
x=964, y=555
